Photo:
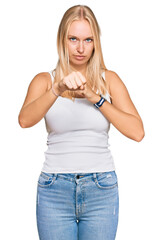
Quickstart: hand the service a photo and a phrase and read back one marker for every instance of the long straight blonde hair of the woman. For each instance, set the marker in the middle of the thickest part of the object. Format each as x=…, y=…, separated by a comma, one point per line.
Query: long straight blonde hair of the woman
x=95, y=65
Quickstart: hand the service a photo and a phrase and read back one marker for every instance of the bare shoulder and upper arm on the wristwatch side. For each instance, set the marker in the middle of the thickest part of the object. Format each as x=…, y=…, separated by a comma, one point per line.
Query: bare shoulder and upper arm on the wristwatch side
x=120, y=96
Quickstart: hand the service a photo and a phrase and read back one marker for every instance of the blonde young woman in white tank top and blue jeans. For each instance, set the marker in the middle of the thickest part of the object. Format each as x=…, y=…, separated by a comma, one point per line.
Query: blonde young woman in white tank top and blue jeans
x=77, y=192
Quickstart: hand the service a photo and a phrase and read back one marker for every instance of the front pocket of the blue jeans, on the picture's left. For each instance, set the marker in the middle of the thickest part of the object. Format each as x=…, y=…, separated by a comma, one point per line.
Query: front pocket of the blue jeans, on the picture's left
x=46, y=179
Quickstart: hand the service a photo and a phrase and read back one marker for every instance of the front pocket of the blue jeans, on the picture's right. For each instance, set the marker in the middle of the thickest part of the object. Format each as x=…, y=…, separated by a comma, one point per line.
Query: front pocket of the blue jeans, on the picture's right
x=106, y=180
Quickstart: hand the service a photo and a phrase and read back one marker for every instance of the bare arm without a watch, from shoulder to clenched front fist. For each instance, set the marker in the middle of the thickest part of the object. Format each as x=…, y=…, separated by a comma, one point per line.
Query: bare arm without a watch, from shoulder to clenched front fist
x=40, y=96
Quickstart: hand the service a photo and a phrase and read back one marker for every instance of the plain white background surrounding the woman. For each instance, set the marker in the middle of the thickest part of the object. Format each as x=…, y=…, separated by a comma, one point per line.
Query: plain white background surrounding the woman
x=132, y=47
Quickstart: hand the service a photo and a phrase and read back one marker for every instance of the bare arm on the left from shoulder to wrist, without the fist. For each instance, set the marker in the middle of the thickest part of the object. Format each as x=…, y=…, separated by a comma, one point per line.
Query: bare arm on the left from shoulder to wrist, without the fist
x=38, y=100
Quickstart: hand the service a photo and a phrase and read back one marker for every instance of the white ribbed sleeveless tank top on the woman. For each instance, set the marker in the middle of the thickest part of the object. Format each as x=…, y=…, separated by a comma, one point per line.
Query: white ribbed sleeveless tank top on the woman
x=78, y=140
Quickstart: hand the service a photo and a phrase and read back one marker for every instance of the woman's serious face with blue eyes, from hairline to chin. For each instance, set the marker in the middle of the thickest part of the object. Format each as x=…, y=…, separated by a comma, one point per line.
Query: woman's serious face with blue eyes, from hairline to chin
x=80, y=43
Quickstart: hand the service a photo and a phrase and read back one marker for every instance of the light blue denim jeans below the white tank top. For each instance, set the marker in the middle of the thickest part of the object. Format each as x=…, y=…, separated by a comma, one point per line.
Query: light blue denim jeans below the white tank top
x=77, y=206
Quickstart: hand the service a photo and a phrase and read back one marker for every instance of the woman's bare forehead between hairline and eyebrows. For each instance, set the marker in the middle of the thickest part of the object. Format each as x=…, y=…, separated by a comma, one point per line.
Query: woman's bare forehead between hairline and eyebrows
x=80, y=28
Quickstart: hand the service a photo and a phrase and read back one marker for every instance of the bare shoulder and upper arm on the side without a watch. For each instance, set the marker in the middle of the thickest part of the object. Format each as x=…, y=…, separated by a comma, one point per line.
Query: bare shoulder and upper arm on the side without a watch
x=38, y=86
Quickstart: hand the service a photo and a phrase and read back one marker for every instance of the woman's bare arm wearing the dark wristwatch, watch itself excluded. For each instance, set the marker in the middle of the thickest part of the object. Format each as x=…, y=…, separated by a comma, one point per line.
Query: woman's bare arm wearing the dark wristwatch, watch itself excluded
x=122, y=112
